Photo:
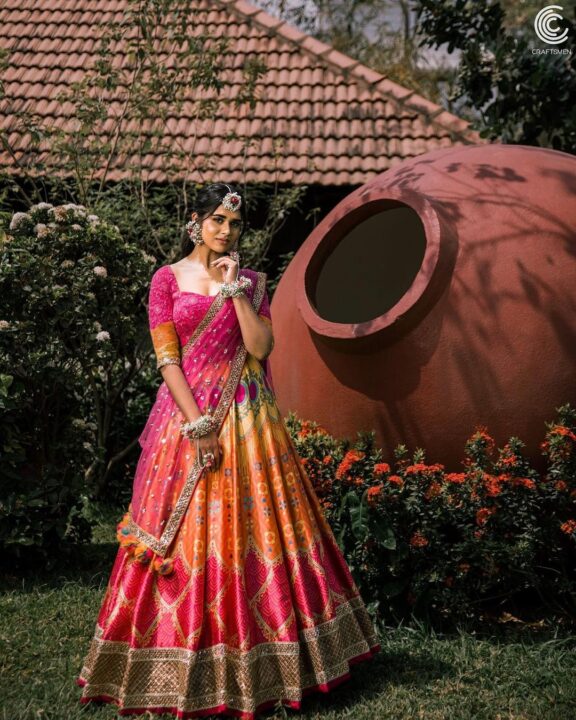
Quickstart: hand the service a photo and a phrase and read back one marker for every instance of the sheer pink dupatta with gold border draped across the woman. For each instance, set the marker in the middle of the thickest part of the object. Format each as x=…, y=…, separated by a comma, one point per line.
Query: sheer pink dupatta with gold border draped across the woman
x=168, y=469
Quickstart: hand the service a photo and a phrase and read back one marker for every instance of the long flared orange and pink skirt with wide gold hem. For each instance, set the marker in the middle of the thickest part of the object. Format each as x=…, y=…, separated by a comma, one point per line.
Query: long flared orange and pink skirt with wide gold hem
x=260, y=606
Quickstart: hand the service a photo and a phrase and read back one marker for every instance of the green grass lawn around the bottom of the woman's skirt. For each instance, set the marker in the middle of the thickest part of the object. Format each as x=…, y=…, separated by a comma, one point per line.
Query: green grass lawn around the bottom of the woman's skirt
x=47, y=621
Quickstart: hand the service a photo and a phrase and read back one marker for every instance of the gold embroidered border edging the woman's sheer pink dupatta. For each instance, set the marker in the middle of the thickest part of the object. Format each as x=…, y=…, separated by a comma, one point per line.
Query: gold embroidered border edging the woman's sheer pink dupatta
x=161, y=545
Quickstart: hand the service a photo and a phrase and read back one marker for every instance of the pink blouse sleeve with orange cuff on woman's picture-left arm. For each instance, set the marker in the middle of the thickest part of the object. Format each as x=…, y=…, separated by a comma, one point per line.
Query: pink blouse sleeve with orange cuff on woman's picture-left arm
x=162, y=329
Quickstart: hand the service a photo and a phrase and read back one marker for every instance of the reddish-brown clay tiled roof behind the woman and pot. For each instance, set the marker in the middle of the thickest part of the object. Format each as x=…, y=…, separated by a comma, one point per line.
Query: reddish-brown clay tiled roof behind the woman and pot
x=321, y=117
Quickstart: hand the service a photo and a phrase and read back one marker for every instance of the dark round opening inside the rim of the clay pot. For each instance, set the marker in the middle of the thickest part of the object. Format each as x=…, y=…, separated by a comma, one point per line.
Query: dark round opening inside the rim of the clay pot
x=371, y=267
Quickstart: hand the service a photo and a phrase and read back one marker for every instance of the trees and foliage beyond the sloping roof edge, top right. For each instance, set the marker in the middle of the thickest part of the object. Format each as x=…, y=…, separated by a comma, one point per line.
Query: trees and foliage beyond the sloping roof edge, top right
x=474, y=58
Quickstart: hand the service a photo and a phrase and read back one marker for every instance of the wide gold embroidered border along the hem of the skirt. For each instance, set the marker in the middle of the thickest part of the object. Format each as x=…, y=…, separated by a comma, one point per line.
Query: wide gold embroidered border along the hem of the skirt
x=195, y=680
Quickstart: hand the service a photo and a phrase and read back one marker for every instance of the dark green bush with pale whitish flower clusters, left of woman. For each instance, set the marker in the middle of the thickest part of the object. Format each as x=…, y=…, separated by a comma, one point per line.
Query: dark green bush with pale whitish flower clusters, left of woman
x=72, y=307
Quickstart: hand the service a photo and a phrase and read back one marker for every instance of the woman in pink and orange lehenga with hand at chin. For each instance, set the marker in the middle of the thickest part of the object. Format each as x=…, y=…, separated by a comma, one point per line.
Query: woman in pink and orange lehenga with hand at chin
x=229, y=592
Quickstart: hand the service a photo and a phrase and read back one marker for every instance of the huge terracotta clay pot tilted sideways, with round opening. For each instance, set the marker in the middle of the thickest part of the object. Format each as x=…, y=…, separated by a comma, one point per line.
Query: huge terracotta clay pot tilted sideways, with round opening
x=437, y=297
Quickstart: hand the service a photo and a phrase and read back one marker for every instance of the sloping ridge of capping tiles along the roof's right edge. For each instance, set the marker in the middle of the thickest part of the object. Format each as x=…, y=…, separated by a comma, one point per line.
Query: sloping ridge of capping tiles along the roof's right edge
x=404, y=97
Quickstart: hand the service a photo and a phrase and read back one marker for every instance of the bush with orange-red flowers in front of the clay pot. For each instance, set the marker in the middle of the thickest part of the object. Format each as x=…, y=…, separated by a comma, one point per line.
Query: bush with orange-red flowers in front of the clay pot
x=451, y=545
